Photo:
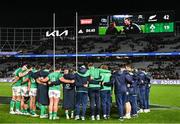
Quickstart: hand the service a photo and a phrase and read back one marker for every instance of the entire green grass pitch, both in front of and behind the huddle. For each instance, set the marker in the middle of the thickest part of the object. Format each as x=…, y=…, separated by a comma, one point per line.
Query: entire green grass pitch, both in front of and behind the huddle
x=166, y=95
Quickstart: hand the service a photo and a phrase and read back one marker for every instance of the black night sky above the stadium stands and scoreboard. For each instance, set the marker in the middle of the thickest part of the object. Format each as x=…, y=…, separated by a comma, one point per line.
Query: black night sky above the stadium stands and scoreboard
x=18, y=13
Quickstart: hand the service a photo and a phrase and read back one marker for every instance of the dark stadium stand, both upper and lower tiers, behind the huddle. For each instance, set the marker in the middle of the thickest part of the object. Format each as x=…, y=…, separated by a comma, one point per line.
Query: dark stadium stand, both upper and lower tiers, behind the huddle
x=160, y=67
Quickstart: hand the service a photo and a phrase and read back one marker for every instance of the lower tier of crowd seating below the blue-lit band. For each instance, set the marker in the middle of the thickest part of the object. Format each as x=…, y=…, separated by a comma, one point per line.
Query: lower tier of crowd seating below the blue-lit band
x=159, y=67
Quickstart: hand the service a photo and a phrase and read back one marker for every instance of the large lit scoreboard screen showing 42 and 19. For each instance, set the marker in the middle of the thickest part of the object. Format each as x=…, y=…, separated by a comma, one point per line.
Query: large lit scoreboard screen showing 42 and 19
x=138, y=23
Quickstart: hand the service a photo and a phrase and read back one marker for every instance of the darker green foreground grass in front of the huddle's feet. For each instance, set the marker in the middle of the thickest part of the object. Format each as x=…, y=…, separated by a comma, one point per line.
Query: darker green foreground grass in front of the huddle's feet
x=155, y=116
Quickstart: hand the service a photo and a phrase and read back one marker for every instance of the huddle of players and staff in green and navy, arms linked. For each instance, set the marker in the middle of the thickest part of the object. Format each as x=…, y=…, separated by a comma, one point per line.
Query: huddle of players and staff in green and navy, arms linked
x=40, y=87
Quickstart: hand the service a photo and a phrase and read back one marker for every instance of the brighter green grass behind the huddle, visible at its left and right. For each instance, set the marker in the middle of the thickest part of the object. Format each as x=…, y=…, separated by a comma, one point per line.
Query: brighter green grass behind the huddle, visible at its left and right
x=160, y=94
